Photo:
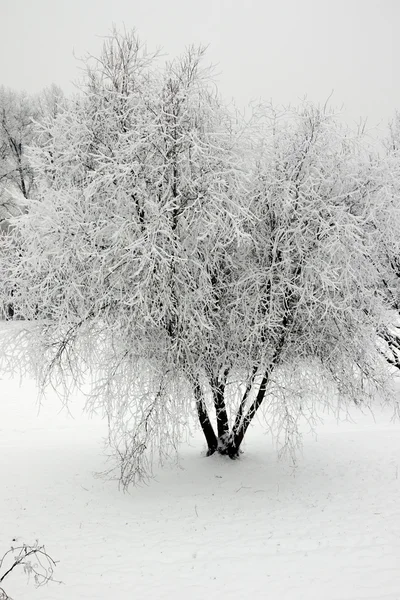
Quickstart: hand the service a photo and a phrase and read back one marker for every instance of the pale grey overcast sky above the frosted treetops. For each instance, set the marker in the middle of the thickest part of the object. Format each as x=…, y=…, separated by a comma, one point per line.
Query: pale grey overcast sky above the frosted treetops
x=272, y=49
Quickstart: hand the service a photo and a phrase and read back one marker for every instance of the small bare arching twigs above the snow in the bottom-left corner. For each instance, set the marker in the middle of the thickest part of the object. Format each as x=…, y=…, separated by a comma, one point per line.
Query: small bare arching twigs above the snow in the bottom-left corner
x=33, y=560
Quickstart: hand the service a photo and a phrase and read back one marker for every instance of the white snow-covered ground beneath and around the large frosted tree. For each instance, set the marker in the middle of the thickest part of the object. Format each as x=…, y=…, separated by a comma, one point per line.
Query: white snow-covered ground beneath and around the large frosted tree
x=210, y=528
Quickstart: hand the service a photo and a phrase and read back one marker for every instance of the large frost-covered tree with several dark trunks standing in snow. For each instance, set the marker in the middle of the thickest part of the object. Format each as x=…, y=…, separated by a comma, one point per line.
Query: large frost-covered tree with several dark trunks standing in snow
x=180, y=257
